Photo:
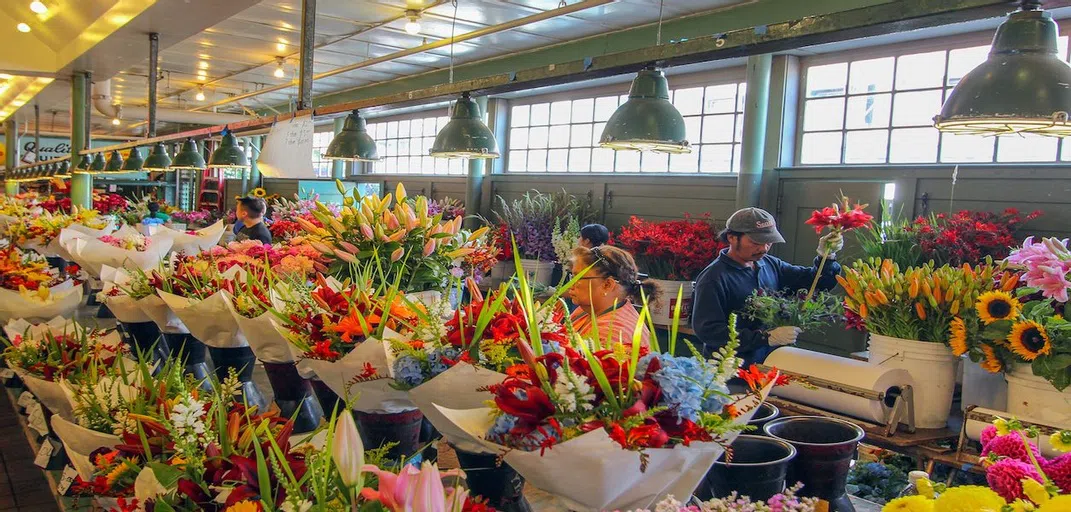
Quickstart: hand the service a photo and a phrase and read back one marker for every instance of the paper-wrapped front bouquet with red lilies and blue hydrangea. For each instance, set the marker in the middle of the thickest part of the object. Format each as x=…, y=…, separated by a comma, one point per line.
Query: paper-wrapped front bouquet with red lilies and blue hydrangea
x=635, y=426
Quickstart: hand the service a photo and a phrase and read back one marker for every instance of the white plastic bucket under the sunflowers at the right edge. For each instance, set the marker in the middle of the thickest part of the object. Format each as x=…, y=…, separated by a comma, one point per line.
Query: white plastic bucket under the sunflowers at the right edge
x=1030, y=396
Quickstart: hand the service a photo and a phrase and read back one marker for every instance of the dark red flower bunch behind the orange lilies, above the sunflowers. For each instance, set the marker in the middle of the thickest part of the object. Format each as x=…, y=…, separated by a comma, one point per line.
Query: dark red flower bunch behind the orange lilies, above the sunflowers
x=969, y=237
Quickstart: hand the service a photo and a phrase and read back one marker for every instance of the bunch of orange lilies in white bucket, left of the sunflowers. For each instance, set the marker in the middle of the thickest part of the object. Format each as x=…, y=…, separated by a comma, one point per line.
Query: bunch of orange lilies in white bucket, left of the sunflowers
x=915, y=304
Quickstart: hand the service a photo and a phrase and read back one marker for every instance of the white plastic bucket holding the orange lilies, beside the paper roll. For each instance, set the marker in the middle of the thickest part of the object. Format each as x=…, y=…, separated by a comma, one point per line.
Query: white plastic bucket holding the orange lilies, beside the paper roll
x=932, y=366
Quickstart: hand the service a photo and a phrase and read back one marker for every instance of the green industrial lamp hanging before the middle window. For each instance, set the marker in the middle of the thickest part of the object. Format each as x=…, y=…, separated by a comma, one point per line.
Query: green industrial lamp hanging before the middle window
x=647, y=122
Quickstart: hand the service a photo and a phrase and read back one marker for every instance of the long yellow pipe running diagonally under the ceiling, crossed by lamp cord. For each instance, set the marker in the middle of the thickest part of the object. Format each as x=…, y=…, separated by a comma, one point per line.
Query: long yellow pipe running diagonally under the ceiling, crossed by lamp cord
x=584, y=5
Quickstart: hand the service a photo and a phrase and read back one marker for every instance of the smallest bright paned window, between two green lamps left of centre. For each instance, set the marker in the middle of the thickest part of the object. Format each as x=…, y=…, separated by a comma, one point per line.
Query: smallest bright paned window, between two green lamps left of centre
x=404, y=147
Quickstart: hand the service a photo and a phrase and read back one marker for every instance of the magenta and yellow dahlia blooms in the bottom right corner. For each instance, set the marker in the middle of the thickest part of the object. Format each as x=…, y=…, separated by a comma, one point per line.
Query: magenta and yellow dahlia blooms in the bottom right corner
x=1018, y=477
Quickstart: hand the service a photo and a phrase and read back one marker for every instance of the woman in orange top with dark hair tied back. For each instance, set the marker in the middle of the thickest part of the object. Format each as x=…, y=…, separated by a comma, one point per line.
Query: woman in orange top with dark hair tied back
x=607, y=295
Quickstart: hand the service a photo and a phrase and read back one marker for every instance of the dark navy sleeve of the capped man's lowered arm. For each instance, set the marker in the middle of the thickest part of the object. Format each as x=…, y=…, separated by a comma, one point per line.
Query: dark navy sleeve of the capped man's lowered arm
x=711, y=321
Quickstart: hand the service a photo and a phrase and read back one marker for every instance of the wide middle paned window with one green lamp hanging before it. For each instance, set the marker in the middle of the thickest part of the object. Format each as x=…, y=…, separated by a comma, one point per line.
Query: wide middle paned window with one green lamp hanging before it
x=563, y=137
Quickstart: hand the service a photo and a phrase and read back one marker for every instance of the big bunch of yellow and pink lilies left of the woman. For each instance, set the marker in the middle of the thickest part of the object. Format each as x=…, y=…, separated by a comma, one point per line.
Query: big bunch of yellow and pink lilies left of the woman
x=397, y=236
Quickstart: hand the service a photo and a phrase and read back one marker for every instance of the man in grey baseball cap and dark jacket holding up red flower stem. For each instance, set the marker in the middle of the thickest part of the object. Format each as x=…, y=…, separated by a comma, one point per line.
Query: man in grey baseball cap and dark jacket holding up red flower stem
x=725, y=287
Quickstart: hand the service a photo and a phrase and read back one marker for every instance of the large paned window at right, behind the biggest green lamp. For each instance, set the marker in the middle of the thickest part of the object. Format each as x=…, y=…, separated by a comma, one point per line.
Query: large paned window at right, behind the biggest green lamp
x=880, y=110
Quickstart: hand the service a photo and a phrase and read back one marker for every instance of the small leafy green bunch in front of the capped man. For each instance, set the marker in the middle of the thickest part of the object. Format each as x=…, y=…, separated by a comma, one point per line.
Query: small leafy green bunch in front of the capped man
x=779, y=309
